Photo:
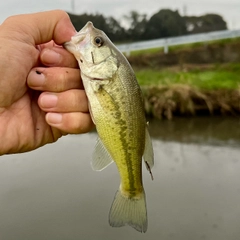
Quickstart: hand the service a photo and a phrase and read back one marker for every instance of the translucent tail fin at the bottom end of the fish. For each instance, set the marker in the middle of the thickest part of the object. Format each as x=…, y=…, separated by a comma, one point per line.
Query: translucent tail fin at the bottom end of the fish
x=129, y=211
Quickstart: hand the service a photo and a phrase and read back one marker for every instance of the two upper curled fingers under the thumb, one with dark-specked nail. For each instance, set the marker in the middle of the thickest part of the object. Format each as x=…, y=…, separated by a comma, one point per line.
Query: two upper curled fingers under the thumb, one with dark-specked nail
x=63, y=73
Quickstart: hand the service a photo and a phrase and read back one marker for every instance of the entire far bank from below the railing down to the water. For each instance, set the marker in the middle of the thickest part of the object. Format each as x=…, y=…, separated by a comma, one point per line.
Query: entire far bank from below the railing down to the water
x=203, y=79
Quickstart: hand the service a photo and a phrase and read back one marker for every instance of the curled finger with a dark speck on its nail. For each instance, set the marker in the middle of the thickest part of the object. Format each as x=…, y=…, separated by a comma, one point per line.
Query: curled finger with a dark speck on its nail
x=54, y=79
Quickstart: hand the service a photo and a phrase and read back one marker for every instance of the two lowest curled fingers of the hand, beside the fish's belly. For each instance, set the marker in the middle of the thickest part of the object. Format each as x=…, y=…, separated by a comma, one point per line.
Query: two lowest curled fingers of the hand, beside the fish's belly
x=67, y=111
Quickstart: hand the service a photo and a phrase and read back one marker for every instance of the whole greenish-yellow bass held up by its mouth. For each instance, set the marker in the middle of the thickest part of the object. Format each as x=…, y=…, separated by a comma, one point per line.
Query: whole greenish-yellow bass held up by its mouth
x=116, y=106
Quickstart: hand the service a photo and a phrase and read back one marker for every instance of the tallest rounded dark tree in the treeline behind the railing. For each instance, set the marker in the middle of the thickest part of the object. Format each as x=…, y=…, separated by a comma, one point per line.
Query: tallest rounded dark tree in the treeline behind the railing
x=165, y=23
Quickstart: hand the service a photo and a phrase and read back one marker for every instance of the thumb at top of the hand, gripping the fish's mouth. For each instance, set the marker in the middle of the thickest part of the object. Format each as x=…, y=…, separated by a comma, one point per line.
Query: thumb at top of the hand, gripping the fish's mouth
x=38, y=28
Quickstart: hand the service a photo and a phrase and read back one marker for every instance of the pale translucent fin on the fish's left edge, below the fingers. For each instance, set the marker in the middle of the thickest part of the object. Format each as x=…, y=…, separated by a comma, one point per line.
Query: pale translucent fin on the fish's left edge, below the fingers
x=101, y=157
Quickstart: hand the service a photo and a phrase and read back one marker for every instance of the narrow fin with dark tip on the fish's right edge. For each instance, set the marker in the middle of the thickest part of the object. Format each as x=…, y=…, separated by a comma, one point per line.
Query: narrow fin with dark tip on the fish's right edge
x=148, y=155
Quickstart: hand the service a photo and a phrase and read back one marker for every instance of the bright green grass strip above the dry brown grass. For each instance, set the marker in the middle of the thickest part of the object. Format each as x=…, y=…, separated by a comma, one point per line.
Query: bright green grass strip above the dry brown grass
x=219, y=77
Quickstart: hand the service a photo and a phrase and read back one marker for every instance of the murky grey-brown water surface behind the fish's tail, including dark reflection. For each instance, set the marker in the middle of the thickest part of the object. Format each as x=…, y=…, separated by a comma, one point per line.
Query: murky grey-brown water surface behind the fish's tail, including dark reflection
x=53, y=194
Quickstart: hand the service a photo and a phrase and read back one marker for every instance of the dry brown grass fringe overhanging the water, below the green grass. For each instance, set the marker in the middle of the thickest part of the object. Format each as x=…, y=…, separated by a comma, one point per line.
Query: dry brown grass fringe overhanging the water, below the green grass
x=184, y=100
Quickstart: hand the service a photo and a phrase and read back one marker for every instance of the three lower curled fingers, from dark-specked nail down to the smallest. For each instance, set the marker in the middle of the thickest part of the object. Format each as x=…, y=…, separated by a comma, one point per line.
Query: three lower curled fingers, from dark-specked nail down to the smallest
x=63, y=98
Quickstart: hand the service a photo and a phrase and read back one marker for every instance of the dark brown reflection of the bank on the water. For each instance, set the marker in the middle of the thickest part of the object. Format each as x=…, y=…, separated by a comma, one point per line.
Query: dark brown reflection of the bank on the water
x=205, y=130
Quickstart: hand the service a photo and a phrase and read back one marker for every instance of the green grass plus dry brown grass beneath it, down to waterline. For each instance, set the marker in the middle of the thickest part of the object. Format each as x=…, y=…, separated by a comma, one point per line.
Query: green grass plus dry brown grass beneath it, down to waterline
x=191, y=89
